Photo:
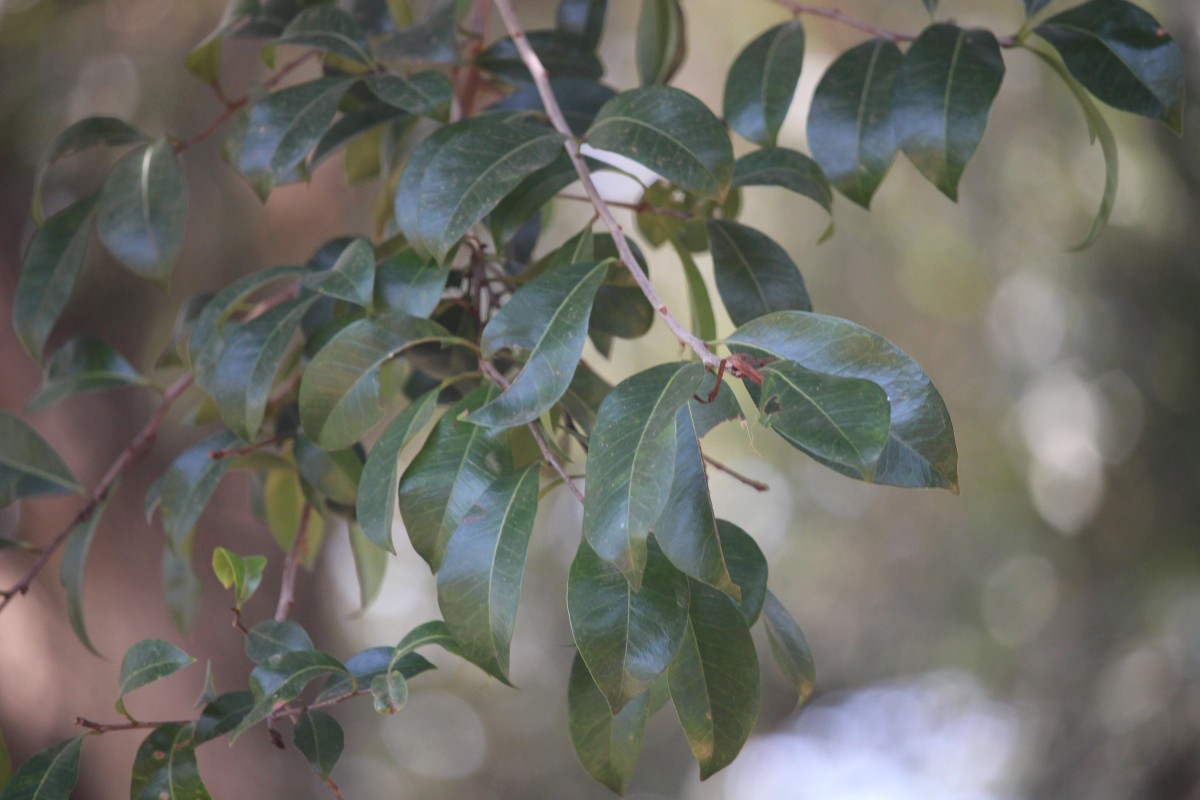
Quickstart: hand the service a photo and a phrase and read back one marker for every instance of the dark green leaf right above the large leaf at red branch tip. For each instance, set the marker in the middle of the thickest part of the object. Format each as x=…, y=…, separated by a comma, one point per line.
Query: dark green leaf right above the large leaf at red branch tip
x=754, y=275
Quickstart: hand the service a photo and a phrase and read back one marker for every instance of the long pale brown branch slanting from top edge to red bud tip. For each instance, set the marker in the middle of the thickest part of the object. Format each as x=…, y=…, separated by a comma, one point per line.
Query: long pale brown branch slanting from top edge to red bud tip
x=555, y=113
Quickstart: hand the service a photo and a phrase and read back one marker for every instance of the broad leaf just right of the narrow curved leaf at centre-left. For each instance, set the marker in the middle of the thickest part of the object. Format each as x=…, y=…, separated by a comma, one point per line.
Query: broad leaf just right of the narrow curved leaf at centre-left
x=457, y=465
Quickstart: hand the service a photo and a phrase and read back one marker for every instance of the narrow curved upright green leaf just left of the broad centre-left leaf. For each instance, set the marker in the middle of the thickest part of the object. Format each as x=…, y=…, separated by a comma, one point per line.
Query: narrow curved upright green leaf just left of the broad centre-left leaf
x=379, y=488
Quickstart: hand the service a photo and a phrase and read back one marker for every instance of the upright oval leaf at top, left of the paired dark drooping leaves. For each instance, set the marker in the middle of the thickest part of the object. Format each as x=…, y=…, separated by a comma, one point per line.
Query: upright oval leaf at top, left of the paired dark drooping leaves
x=763, y=81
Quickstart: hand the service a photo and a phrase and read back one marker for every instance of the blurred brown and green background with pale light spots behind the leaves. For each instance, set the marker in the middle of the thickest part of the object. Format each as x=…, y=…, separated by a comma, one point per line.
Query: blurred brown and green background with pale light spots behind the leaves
x=1037, y=636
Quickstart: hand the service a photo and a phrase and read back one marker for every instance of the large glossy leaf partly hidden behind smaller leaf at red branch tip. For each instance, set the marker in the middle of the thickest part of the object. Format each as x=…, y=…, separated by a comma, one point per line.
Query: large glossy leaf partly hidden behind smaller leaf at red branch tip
x=921, y=450
